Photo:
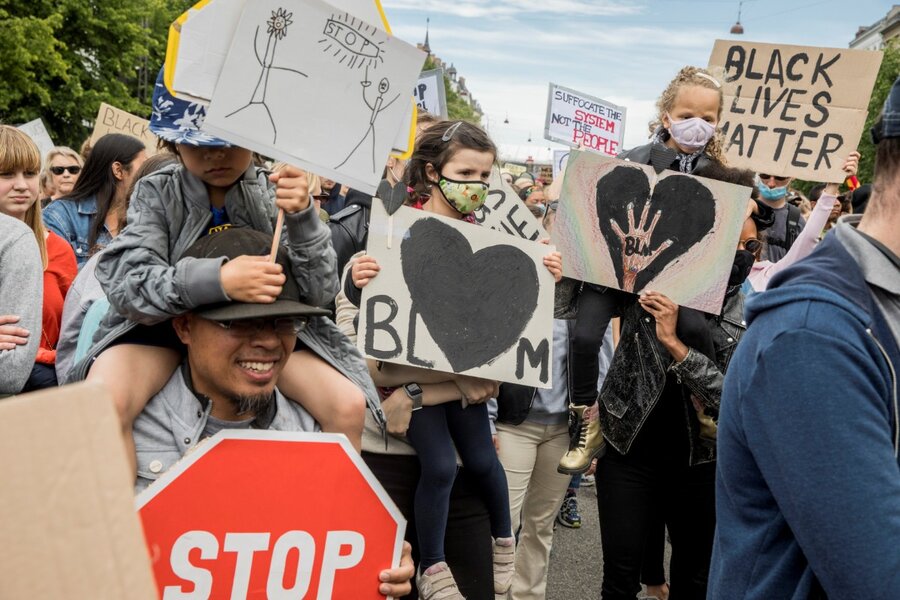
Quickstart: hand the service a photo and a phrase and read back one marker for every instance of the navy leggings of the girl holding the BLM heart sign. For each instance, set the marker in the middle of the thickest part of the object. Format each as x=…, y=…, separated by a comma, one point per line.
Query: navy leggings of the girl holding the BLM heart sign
x=433, y=432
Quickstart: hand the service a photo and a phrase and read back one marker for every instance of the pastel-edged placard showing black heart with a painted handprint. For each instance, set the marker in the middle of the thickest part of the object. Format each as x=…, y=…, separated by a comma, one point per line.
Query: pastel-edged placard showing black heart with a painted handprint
x=622, y=225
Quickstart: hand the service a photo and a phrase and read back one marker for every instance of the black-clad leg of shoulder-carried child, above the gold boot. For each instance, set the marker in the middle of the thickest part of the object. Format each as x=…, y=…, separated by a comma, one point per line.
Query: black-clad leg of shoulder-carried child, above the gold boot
x=596, y=307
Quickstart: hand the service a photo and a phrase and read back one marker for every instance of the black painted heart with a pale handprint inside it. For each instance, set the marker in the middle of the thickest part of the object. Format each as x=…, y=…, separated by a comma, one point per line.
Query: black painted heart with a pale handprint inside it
x=645, y=232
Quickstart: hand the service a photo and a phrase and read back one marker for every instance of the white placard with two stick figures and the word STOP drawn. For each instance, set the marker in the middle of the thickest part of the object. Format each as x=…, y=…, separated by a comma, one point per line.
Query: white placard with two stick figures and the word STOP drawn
x=317, y=87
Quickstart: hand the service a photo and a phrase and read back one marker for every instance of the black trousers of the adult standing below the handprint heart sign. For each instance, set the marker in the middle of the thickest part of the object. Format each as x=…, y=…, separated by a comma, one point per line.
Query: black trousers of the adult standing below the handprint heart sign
x=652, y=482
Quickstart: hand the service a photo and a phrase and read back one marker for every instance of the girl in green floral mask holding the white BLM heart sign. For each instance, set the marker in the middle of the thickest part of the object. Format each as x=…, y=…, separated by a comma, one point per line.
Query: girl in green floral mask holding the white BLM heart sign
x=454, y=160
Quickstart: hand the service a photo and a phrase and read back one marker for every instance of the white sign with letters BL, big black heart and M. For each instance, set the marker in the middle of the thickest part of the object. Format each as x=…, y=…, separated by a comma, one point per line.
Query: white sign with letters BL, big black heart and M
x=456, y=297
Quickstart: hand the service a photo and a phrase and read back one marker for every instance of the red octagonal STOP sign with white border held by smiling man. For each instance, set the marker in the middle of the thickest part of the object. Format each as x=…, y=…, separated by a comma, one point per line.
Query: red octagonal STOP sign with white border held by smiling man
x=267, y=514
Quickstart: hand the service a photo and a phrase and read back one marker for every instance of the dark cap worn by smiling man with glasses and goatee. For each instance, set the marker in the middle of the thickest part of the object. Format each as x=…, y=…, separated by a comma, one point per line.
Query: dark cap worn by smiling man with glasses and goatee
x=240, y=241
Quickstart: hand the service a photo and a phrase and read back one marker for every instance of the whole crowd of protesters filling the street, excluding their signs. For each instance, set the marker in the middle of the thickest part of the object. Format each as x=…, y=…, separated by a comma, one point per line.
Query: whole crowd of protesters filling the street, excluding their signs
x=760, y=441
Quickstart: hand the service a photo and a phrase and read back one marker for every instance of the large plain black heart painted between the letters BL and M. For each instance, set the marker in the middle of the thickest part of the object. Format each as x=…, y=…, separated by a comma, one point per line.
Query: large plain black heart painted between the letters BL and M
x=475, y=305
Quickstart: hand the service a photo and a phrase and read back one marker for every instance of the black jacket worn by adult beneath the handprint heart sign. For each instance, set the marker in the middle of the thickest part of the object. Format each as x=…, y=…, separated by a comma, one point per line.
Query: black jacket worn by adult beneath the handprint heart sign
x=637, y=377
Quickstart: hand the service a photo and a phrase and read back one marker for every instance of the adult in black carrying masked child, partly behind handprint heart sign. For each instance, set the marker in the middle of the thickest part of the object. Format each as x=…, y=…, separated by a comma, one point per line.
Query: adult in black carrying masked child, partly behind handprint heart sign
x=657, y=407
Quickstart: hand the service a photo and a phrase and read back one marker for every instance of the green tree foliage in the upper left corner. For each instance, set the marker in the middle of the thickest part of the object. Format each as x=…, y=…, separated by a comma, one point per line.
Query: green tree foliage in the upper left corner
x=60, y=59
